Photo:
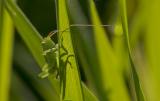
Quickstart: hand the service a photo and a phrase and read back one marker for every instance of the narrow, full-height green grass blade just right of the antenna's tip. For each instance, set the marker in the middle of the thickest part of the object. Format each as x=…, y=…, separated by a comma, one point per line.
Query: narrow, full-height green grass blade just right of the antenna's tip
x=138, y=89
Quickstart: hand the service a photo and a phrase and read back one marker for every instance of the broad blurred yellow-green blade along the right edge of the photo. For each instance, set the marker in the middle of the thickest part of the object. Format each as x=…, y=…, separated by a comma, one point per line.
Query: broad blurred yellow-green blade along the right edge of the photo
x=152, y=39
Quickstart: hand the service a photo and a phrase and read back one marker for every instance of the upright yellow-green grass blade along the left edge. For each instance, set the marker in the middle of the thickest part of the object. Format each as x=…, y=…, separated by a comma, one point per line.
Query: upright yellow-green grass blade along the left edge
x=6, y=42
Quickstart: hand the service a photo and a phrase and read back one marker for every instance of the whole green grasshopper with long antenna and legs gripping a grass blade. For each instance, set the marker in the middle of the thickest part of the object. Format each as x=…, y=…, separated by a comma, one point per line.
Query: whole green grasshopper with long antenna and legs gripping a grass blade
x=51, y=53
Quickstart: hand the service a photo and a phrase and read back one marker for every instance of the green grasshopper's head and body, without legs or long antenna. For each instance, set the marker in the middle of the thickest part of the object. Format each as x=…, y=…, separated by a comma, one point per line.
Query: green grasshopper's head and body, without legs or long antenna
x=50, y=53
